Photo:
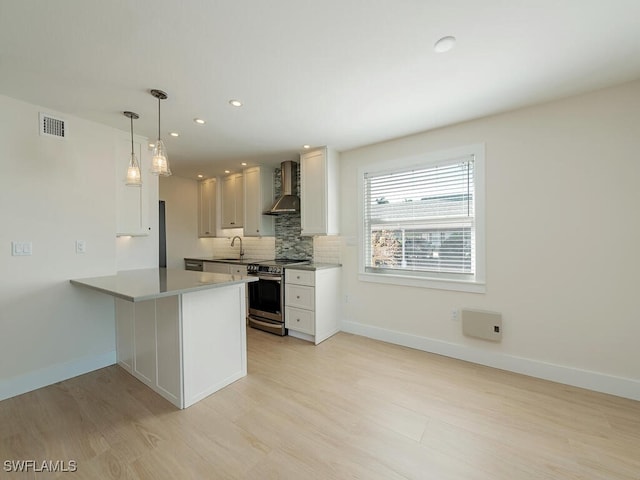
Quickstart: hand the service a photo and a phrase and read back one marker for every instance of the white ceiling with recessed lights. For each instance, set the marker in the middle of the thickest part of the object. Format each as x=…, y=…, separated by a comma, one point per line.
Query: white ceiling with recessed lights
x=343, y=73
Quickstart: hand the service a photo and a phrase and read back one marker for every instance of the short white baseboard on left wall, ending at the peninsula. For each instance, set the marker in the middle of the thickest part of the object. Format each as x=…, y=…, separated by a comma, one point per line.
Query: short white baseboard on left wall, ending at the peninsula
x=18, y=385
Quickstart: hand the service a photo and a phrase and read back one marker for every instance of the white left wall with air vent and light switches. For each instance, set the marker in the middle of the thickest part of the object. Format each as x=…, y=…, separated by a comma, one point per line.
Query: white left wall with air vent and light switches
x=52, y=193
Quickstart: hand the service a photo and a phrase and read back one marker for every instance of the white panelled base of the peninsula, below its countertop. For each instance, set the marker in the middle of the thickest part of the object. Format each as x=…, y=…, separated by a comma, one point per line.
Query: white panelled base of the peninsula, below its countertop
x=184, y=347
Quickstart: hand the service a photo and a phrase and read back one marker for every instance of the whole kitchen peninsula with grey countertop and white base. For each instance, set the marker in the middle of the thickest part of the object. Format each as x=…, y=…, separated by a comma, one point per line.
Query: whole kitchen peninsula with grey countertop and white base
x=182, y=333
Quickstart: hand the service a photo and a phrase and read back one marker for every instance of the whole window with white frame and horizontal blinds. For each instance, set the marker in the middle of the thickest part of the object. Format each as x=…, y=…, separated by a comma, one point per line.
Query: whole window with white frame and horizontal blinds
x=423, y=220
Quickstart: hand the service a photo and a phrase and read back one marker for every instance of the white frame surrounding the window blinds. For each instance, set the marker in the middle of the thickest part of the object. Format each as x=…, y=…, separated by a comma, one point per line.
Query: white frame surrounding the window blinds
x=475, y=283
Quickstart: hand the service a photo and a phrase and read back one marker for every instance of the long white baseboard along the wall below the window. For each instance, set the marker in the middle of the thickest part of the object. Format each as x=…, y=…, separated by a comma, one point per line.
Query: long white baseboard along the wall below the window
x=599, y=382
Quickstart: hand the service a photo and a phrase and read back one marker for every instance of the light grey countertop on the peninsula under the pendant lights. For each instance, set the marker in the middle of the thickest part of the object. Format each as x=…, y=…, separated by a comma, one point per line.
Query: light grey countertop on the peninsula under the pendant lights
x=146, y=284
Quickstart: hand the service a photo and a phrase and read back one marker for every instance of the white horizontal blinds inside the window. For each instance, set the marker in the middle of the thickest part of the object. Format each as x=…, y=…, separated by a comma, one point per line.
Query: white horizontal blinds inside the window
x=421, y=221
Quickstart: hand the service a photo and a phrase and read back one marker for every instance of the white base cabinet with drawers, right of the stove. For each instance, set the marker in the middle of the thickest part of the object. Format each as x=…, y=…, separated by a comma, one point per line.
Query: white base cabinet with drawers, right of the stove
x=312, y=303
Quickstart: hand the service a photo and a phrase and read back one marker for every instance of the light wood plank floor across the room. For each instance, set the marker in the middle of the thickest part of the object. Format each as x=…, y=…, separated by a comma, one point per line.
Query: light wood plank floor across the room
x=348, y=408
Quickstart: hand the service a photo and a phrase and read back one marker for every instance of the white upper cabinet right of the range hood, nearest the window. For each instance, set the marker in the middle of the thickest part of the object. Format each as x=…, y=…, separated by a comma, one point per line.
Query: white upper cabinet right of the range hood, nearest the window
x=319, y=192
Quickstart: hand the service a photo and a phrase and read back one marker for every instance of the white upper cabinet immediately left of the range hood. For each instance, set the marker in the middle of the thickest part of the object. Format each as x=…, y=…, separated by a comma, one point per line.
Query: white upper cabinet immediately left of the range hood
x=258, y=197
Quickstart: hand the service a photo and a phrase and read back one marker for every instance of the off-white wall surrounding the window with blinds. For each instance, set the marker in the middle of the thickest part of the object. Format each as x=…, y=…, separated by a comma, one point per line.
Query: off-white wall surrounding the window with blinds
x=563, y=232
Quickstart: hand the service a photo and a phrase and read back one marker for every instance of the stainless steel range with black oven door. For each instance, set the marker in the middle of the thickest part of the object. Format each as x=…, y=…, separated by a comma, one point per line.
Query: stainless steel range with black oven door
x=266, y=296
